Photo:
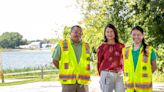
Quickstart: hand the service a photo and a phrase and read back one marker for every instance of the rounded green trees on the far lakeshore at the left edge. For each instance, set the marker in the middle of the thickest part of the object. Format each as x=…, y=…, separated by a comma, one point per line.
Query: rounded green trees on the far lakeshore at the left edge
x=11, y=40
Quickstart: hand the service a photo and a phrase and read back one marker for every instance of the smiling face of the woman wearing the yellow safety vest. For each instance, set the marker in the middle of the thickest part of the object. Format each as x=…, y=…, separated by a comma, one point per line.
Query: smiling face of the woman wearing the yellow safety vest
x=137, y=36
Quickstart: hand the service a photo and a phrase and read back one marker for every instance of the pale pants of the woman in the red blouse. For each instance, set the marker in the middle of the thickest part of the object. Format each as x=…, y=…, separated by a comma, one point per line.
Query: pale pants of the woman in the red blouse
x=110, y=81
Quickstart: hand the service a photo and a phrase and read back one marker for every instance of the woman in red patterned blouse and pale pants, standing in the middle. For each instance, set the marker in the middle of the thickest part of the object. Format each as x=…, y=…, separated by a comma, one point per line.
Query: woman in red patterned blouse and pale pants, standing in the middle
x=110, y=66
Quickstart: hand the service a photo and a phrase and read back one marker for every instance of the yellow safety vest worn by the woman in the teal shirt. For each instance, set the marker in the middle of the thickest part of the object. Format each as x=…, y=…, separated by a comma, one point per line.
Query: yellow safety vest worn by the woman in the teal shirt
x=141, y=78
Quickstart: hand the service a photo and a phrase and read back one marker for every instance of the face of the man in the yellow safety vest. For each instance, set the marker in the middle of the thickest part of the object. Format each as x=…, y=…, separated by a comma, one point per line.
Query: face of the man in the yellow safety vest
x=76, y=34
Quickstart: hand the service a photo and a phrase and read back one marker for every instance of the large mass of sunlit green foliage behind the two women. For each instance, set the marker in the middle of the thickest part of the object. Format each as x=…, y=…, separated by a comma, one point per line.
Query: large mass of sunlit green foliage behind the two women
x=124, y=14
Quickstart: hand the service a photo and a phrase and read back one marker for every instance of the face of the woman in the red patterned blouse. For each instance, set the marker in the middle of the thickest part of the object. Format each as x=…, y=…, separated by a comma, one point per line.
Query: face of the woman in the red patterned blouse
x=109, y=33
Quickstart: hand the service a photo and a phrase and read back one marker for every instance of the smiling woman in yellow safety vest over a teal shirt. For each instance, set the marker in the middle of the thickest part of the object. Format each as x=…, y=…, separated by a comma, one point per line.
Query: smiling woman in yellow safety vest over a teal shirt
x=139, y=63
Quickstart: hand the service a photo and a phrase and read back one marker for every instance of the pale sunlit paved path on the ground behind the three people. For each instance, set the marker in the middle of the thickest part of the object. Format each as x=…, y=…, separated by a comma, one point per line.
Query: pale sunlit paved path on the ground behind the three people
x=56, y=87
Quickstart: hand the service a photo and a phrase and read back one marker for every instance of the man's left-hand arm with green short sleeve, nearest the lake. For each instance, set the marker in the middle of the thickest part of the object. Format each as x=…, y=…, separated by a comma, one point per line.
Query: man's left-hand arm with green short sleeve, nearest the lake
x=56, y=56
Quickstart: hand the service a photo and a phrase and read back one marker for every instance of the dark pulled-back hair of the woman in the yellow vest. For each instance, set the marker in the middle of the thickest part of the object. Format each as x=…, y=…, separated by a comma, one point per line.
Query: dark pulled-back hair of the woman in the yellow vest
x=143, y=40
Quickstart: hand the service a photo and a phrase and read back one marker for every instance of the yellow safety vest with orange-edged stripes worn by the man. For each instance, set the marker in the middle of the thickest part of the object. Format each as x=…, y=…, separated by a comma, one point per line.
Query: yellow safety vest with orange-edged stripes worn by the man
x=71, y=72
